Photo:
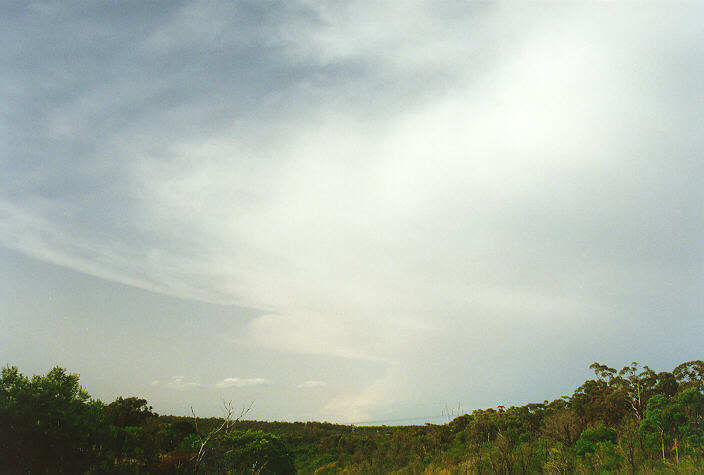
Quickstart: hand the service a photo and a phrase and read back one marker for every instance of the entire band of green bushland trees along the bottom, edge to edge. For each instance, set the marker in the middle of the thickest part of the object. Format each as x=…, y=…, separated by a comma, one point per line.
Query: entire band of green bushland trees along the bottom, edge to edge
x=632, y=420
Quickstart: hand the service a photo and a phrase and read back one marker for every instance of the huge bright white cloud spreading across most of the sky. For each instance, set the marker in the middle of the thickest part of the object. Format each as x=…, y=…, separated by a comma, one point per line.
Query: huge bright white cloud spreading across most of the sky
x=466, y=175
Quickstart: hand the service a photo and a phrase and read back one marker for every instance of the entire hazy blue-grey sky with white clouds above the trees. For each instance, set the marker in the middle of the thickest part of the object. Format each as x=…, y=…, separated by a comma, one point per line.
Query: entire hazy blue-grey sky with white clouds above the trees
x=349, y=211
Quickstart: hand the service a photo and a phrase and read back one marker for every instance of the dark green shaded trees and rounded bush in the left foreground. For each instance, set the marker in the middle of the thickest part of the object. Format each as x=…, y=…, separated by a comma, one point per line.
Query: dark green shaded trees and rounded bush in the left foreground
x=49, y=424
